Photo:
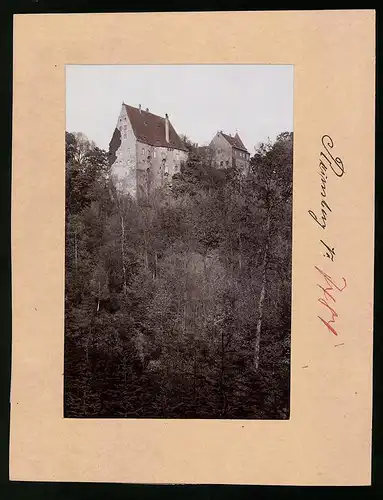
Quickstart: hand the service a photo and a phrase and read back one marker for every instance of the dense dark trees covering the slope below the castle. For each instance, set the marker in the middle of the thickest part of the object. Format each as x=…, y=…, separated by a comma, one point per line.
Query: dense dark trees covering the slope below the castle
x=178, y=305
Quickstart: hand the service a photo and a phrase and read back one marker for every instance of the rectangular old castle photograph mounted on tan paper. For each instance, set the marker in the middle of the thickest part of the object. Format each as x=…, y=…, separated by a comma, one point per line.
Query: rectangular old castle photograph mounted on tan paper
x=178, y=241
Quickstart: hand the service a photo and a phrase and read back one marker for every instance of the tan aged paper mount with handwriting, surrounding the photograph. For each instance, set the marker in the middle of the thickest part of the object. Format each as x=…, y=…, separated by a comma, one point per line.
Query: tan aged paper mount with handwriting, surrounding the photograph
x=327, y=440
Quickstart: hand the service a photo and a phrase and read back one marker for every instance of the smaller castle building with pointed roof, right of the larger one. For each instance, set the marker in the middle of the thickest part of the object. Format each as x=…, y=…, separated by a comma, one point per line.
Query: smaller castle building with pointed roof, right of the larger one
x=229, y=151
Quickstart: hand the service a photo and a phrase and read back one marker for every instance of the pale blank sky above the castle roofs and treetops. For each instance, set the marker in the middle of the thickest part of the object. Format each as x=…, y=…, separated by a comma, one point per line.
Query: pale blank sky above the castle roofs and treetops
x=255, y=100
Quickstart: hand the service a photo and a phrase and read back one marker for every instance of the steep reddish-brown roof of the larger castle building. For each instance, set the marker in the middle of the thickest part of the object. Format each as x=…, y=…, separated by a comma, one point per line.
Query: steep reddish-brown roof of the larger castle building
x=150, y=129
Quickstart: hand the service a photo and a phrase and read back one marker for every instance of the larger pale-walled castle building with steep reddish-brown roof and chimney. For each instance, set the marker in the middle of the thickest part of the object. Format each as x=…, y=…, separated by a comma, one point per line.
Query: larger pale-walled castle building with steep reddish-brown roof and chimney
x=145, y=151
